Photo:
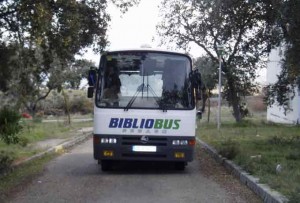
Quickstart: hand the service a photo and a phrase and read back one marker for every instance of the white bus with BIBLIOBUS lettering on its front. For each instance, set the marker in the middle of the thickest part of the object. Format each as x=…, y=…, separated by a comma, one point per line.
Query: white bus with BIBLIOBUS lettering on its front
x=144, y=107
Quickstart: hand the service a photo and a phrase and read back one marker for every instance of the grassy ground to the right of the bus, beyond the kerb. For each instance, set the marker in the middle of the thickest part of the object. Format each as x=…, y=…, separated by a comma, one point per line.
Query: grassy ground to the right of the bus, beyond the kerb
x=259, y=148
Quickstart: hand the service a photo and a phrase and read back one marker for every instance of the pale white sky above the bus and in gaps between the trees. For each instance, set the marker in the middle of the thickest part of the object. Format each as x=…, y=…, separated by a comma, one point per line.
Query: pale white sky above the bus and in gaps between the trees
x=137, y=27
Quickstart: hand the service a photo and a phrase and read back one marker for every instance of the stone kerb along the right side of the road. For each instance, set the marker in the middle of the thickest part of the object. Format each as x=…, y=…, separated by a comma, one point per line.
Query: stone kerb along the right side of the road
x=262, y=190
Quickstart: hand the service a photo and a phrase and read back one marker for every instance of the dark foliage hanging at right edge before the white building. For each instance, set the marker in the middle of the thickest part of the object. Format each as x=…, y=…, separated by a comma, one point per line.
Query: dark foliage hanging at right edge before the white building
x=286, y=19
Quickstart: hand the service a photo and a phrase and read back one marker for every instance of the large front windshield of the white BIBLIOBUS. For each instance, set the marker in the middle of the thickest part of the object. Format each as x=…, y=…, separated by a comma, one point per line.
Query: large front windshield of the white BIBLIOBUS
x=144, y=79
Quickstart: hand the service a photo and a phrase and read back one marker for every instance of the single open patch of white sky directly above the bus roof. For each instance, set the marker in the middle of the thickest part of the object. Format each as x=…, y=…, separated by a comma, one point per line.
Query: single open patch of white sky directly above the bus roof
x=134, y=28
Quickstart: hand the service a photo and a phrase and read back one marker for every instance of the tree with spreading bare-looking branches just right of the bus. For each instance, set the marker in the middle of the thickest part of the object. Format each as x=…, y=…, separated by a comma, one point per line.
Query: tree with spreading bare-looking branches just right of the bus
x=239, y=25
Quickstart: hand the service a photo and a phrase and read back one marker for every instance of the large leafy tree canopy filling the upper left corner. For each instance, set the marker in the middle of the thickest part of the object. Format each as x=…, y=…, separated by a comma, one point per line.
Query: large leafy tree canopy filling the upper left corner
x=47, y=35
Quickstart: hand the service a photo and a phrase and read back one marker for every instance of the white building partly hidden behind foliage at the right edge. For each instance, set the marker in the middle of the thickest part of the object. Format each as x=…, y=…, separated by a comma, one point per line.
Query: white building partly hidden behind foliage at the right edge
x=276, y=113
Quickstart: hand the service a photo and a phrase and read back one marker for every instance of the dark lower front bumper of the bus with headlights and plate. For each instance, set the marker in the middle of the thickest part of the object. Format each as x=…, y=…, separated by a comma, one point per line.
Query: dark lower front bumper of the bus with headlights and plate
x=141, y=148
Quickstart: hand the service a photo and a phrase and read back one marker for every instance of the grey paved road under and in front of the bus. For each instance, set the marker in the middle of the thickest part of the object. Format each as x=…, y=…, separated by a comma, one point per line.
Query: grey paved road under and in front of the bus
x=76, y=177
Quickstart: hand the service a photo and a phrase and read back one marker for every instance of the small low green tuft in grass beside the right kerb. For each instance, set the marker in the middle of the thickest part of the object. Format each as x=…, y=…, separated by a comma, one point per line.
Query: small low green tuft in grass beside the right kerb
x=229, y=149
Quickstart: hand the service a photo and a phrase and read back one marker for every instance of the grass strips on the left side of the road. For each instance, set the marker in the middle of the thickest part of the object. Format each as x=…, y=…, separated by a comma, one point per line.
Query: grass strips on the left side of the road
x=11, y=180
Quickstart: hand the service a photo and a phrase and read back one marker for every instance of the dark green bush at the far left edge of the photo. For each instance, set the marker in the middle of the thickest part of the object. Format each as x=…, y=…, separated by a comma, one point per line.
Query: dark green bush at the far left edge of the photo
x=9, y=125
